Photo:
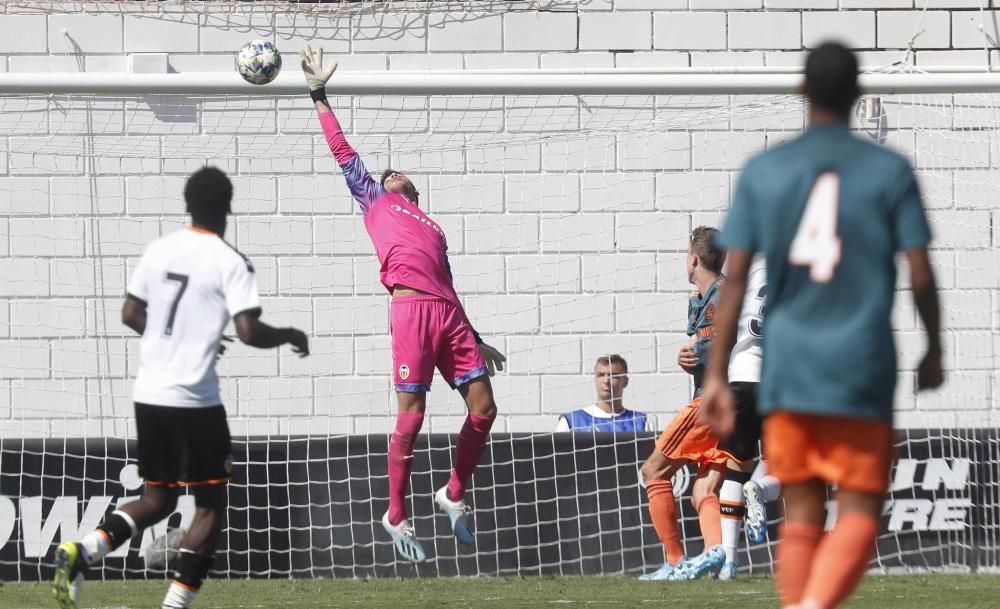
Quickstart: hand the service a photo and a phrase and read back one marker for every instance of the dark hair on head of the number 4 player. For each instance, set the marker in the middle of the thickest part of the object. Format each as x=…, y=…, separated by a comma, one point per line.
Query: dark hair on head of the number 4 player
x=832, y=78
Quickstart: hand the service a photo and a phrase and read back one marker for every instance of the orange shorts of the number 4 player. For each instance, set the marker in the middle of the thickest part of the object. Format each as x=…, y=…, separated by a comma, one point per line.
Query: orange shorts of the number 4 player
x=855, y=454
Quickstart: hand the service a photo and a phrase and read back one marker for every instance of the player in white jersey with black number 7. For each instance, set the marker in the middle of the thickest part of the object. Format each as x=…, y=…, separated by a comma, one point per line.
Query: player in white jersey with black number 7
x=180, y=298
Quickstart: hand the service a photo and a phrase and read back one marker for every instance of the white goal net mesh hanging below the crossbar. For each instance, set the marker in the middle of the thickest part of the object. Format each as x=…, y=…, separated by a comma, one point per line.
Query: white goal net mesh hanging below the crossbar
x=567, y=220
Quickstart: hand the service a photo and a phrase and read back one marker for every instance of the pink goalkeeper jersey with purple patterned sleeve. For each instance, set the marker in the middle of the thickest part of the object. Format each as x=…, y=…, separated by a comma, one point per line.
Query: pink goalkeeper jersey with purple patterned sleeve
x=410, y=246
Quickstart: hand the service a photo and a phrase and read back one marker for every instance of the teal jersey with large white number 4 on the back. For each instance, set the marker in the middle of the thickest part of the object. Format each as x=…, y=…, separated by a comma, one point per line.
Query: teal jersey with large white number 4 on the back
x=829, y=211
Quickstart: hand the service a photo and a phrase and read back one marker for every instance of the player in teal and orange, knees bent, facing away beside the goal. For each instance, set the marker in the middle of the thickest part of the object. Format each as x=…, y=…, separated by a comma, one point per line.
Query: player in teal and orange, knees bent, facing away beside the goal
x=685, y=440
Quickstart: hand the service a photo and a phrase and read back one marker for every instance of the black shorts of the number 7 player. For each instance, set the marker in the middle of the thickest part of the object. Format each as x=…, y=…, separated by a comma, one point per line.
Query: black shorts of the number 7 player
x=183, y=446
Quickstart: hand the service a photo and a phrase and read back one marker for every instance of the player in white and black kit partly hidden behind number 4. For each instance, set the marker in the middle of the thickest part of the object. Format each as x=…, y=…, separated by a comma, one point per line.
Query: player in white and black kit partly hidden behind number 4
x=739, y=496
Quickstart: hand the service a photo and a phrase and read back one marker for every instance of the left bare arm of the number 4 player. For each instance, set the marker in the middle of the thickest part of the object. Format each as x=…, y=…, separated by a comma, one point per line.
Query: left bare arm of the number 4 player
x=717, y=404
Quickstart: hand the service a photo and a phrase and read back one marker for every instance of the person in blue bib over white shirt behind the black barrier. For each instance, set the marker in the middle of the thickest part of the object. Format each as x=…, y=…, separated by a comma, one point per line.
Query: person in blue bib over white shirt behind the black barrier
x=607, y=413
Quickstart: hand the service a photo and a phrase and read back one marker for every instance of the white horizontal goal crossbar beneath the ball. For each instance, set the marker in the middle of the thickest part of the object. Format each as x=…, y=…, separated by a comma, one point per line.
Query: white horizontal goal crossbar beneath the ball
x=677, y=81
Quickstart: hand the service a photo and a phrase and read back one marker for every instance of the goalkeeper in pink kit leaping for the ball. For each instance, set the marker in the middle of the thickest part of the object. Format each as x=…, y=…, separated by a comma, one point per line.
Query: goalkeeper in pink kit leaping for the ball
x=428, y=324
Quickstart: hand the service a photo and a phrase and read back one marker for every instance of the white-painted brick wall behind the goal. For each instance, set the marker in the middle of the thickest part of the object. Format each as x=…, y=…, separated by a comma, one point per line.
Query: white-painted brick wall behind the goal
x=563, y=249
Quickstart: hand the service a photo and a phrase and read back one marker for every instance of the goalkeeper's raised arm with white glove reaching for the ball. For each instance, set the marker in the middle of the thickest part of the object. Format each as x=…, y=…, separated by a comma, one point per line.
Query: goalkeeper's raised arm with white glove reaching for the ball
x=365, y=190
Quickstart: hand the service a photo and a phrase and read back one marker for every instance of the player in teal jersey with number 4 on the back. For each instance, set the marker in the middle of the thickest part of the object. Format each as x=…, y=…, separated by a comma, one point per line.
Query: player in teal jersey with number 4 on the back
x=829, y=210
